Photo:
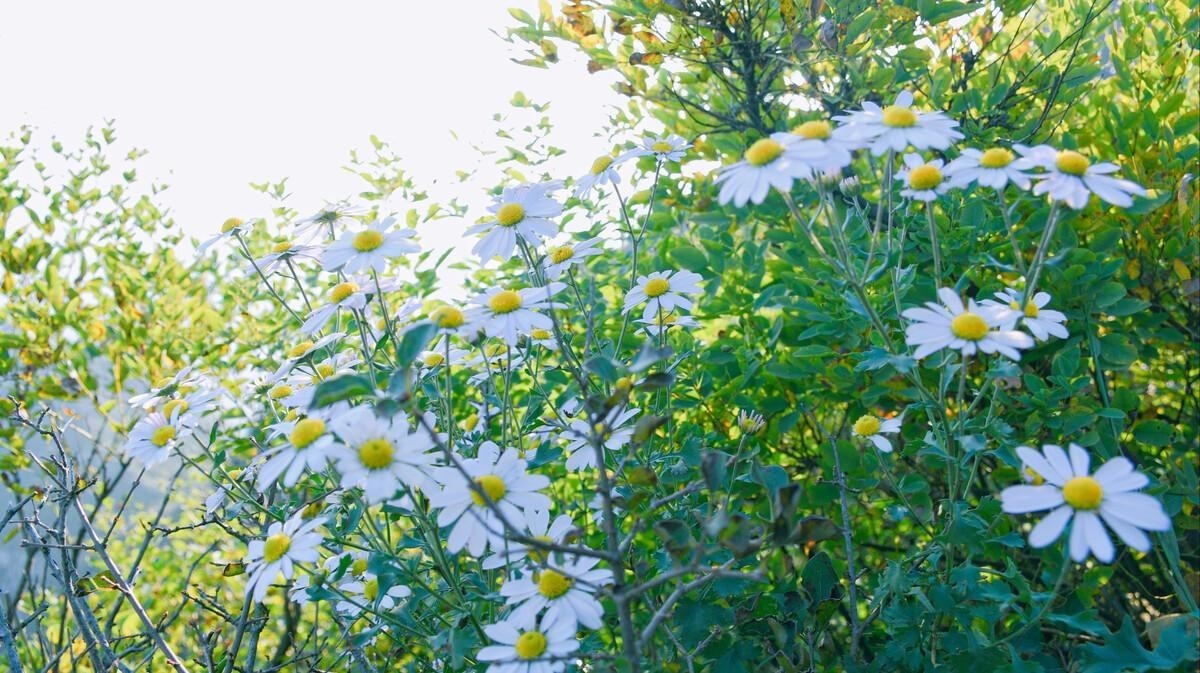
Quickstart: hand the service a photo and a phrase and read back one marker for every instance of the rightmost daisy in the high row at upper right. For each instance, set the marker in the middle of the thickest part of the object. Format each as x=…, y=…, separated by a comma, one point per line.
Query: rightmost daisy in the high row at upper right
x=1071, y=178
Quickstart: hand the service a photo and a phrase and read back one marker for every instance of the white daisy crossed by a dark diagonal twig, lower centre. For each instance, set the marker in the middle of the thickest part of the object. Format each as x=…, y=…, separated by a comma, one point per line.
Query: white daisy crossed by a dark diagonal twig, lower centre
x=503, y=478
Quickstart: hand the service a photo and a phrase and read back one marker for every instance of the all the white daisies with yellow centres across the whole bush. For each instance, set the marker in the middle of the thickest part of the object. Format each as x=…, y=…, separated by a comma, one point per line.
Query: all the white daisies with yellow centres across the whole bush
x=482, y=496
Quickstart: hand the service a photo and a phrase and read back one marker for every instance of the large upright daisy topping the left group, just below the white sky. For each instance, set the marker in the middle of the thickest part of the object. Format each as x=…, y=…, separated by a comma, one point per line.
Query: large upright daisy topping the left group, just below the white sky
x=519, y=212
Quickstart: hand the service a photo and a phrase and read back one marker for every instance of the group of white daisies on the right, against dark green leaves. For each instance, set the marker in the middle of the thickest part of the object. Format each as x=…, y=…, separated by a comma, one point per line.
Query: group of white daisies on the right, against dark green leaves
x=820, y=152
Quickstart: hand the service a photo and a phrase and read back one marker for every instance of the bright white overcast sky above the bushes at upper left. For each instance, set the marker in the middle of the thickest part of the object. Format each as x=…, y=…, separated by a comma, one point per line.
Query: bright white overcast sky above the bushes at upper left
x=227, y=93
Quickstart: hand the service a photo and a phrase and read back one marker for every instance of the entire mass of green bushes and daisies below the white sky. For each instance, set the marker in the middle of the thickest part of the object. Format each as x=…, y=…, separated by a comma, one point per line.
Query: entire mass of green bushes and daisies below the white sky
x=686, y=419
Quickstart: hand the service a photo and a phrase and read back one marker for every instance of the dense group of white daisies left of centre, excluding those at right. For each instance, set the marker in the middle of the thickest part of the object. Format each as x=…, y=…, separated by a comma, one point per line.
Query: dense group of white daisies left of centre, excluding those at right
x=483, y=497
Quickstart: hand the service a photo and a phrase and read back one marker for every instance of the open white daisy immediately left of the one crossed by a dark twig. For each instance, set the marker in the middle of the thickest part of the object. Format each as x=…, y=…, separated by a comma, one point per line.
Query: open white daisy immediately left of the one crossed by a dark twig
x=381, y=455
